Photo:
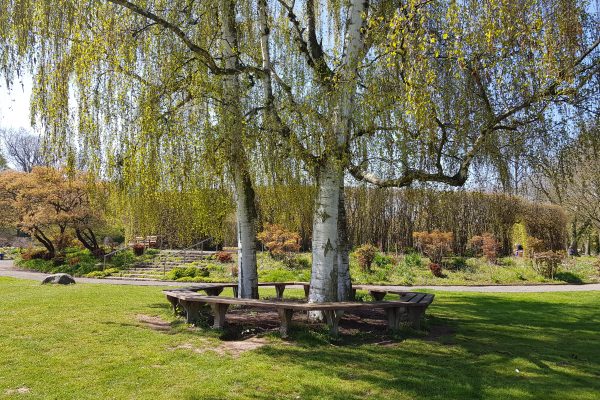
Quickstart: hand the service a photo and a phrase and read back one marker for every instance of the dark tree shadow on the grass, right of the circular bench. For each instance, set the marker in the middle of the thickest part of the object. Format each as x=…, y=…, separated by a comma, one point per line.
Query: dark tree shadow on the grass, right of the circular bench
x=554, y=347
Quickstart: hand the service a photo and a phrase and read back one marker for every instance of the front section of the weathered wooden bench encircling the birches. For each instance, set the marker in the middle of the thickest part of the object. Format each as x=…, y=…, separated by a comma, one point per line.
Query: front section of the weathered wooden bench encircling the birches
x=411, y=307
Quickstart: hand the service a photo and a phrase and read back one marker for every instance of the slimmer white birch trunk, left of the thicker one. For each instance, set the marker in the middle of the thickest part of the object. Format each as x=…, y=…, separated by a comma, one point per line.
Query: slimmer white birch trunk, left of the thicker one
x=231, y=120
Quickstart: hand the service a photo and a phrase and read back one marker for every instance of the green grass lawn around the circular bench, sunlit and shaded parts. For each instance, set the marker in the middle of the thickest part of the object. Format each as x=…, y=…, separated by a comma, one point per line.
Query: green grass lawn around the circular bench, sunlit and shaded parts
x=87, y=342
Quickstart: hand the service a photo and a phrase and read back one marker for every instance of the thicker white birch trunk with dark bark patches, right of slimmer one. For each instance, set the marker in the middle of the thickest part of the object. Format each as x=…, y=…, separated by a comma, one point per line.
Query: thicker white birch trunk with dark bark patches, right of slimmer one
x=330, y=278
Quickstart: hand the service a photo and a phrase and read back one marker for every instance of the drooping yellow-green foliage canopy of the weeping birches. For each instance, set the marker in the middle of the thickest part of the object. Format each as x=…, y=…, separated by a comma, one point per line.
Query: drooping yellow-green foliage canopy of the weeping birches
x=135, y=88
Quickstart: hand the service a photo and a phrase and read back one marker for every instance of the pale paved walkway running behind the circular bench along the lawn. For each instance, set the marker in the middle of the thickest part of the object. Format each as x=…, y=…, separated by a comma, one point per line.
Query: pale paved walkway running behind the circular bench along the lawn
x=7, y=269
